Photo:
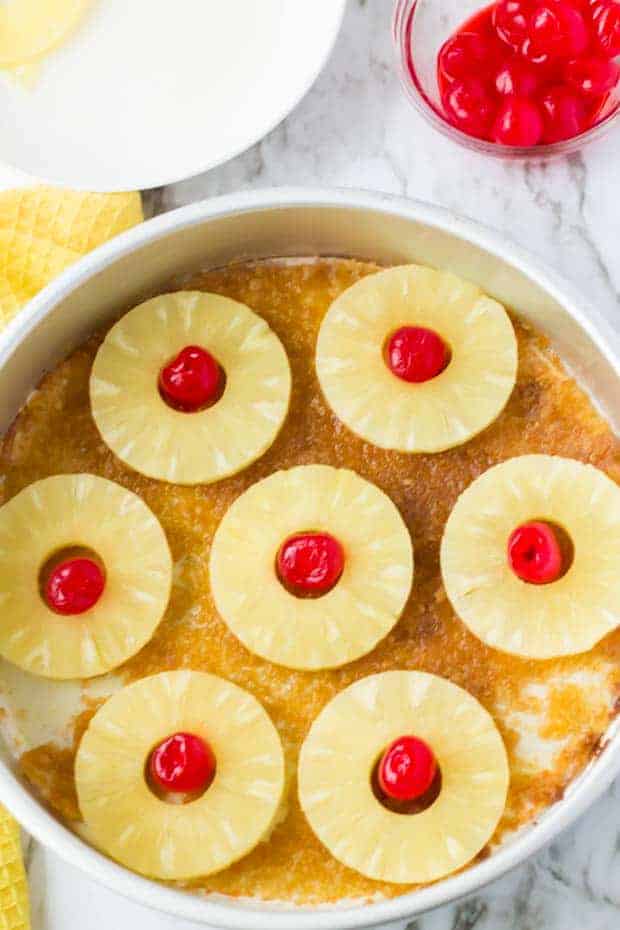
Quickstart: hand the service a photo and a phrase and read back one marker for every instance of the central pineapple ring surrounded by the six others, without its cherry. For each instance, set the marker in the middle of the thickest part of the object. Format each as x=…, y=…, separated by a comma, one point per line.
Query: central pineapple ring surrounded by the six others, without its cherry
x=367, y=600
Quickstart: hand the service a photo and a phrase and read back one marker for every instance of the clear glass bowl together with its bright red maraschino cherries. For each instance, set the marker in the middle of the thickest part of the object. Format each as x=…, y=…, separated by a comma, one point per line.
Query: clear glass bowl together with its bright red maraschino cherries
x=516, y=78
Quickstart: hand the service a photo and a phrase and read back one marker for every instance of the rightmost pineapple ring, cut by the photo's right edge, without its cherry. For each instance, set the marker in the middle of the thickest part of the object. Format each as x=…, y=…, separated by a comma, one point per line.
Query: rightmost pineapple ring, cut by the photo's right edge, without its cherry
x=565, y=617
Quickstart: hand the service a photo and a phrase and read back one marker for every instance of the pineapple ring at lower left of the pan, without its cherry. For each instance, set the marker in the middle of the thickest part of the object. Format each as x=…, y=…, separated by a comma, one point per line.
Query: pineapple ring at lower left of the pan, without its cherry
x=175, y=841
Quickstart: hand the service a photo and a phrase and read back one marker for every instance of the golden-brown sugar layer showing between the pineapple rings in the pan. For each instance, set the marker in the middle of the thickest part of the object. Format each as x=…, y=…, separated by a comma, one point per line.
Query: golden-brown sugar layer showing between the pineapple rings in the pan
x=551, y=713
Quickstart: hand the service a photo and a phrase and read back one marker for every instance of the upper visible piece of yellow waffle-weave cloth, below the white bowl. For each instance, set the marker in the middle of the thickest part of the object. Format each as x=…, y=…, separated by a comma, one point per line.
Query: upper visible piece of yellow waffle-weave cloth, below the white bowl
x=43, y=230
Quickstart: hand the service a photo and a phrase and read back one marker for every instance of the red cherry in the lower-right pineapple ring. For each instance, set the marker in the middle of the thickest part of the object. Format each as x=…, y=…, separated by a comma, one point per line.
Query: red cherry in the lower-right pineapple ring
x=407, y=769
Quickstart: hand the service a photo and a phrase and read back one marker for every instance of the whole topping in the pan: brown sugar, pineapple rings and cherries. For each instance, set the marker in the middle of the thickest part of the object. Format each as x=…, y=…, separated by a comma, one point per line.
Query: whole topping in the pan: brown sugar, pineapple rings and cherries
x=320, y=562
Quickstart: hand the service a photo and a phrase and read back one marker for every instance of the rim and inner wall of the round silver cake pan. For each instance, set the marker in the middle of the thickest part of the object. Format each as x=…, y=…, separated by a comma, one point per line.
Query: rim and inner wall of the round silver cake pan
x=301, y=223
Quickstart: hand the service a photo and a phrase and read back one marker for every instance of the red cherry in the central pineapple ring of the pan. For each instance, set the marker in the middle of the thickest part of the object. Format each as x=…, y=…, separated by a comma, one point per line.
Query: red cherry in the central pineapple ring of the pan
x=310, y=563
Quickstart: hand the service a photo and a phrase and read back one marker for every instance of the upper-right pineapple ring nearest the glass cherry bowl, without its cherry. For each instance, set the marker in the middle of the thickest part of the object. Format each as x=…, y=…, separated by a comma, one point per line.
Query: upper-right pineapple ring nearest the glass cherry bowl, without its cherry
x=434, y=415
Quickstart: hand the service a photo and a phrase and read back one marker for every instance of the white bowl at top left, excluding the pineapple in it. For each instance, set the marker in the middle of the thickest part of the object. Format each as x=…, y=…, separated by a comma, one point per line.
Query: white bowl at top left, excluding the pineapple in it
x=143, y=94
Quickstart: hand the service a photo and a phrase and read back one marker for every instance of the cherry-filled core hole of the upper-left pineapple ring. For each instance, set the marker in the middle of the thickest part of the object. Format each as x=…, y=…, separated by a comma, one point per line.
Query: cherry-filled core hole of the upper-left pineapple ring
x=201, y=390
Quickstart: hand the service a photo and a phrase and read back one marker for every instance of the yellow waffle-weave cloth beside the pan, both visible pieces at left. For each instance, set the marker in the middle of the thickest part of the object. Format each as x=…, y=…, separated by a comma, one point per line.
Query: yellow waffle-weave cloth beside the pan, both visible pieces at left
x=42, y=231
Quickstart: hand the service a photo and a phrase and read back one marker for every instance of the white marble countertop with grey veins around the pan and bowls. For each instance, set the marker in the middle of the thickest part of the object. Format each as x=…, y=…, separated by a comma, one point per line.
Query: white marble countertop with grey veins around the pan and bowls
x=356, y=129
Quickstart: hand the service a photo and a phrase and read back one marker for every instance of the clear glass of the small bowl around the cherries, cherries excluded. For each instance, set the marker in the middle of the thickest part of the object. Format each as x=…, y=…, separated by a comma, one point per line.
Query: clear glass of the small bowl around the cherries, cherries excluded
x=420, y=27
